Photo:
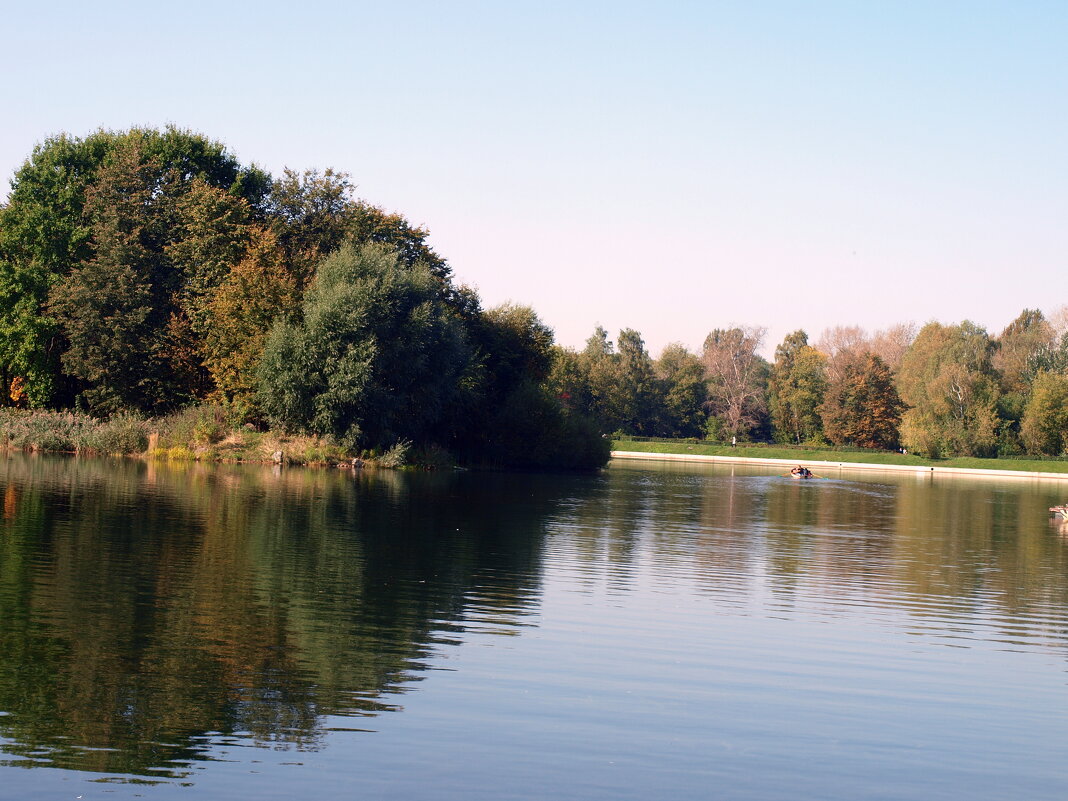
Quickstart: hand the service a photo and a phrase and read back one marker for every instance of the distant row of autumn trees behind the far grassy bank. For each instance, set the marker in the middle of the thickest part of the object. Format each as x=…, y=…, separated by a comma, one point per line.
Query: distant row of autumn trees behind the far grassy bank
x=943, y=390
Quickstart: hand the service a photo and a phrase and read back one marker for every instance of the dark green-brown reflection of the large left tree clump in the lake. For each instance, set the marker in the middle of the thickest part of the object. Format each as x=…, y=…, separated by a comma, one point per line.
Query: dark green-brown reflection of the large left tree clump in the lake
x=144, y=607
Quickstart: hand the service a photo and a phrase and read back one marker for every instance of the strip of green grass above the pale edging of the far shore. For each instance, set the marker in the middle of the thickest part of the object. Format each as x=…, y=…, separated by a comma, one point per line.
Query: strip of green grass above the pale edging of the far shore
x=819, y=454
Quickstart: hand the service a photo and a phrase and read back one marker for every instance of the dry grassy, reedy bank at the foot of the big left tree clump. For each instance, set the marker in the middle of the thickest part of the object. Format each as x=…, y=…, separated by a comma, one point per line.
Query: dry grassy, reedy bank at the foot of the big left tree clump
x=200, y=434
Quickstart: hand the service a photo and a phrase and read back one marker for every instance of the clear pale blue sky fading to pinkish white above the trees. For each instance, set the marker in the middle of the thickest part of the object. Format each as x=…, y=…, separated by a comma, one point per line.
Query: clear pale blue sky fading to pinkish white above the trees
x=670, y=167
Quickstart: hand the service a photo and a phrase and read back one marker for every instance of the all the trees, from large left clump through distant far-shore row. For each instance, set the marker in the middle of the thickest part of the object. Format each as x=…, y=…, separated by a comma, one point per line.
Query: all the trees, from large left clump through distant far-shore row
x=147, y=271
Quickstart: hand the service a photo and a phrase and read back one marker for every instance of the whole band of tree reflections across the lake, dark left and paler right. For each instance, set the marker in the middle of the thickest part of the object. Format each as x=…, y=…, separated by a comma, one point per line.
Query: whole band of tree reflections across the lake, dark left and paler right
x=149, y=608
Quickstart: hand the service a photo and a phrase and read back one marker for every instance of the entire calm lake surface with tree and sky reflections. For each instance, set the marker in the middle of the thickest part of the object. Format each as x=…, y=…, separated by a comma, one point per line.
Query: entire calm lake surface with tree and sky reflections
x=648, y=633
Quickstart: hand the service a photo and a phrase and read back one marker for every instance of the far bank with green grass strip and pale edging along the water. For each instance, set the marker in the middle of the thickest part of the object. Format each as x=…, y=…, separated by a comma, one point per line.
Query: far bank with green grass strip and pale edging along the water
x=823, y=463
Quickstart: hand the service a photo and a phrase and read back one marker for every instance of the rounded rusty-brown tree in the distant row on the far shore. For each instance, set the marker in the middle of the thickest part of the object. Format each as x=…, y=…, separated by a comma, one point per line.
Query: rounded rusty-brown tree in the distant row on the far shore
x=861, y=406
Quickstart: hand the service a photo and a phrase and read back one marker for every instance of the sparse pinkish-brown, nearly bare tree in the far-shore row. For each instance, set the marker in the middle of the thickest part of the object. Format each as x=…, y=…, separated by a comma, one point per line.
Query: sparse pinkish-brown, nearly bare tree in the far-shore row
x=737, y=379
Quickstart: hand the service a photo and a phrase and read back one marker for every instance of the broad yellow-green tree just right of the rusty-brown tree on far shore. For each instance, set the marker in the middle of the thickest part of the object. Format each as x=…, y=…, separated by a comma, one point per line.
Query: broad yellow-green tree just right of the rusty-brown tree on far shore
x=948, y=380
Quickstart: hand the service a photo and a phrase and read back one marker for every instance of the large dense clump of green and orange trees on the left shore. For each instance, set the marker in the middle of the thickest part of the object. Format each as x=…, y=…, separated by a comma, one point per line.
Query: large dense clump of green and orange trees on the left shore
x=146, y=271
